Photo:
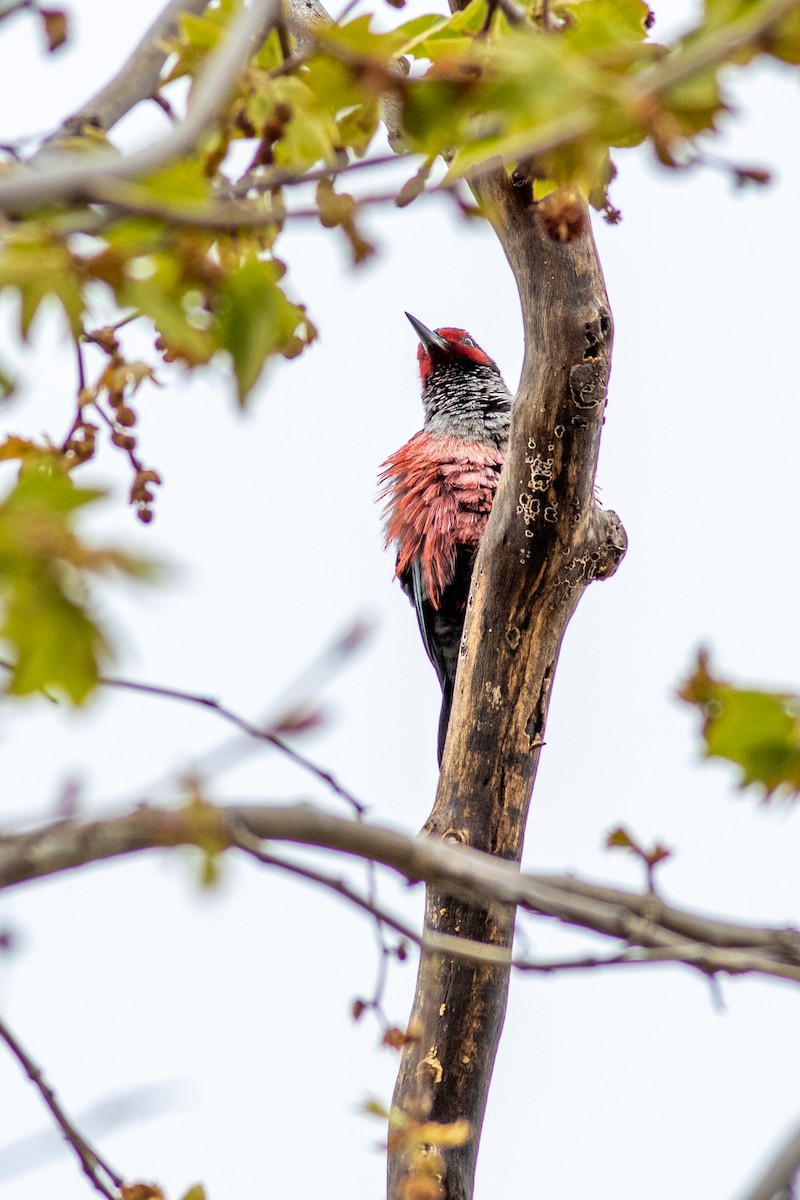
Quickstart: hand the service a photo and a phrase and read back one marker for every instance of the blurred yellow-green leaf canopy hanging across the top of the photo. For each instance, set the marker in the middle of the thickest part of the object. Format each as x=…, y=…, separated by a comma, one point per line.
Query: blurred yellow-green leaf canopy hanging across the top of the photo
x=551, y=92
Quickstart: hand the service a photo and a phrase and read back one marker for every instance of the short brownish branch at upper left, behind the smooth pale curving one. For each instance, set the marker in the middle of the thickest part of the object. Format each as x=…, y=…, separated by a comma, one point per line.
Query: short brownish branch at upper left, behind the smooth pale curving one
x=136, y=81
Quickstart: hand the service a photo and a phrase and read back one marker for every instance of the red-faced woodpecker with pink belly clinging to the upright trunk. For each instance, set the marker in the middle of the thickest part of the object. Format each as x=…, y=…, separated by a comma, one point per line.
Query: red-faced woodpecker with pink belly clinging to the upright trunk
x=440, y=490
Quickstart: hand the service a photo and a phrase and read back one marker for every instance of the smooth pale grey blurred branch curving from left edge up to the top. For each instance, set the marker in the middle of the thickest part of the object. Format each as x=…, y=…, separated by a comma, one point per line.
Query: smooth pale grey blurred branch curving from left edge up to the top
x=73, y=177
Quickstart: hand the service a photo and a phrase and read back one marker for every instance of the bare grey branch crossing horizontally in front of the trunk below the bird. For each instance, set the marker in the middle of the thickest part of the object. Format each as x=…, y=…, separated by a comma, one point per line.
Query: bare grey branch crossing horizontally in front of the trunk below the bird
x=640, y=920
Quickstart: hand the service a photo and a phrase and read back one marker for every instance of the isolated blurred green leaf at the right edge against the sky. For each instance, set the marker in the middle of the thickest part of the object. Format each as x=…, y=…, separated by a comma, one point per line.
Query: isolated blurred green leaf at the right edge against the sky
x=760, y=731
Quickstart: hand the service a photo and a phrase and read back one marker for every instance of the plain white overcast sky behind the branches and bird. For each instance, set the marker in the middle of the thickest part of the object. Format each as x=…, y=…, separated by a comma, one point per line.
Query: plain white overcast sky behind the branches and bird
x=615, y=1085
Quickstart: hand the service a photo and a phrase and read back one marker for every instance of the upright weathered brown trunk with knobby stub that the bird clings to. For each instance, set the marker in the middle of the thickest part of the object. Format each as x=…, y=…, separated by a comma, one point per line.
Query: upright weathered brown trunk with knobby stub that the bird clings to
x=546, y=541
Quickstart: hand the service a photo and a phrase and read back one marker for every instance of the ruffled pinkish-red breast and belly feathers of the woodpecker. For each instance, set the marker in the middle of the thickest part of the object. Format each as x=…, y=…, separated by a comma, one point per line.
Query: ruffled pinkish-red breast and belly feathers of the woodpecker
x=440, y=494
